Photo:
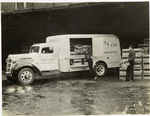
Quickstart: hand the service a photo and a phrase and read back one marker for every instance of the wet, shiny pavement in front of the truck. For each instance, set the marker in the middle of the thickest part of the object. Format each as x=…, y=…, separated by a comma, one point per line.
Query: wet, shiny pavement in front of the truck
x=70, y=95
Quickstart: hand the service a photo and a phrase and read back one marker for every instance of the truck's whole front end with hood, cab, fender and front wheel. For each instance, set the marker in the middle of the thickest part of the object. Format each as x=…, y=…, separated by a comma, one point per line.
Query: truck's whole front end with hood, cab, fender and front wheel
x=41, y=58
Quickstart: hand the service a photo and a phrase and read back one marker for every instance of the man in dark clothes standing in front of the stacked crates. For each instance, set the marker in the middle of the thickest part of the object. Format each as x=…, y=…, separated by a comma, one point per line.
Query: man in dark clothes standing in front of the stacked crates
x=131, y=57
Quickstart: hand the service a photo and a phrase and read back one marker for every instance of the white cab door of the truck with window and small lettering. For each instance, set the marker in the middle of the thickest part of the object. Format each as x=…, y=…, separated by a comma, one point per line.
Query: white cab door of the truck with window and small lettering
x=49, y=60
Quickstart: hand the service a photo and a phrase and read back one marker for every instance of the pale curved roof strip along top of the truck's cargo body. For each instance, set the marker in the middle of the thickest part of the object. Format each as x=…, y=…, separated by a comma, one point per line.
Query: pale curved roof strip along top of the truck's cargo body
x=81, y=35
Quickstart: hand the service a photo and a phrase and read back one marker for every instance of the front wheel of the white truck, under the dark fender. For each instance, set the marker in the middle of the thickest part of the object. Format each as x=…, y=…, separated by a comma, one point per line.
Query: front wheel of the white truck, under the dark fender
x=26, y=76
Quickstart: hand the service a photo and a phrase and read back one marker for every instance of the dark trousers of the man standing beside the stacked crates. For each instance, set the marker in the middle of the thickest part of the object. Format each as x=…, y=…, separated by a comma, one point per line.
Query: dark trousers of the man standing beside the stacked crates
x=129, y=72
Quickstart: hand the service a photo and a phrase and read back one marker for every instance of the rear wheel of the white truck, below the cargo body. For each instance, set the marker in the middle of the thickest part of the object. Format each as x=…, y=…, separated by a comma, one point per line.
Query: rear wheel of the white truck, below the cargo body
x=100, y=69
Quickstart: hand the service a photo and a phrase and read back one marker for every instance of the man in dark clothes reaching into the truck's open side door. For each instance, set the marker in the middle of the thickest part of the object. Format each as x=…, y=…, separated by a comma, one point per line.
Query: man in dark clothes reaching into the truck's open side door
x=87, y=53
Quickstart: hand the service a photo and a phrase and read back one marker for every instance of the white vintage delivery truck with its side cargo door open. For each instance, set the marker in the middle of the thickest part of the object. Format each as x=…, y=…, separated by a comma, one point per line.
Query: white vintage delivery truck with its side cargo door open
x=65, y=53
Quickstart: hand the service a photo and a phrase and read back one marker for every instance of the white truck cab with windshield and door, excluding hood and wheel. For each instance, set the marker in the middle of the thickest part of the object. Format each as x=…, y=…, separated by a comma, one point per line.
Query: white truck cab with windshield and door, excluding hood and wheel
x=47, y=59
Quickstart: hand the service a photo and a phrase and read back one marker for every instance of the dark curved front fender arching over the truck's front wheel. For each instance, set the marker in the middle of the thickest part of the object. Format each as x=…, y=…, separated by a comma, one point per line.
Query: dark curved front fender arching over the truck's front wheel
x=25, y=65
